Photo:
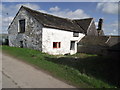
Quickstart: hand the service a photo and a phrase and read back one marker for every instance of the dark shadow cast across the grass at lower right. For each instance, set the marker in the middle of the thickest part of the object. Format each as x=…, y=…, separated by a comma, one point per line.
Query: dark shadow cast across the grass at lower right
x=99, y=67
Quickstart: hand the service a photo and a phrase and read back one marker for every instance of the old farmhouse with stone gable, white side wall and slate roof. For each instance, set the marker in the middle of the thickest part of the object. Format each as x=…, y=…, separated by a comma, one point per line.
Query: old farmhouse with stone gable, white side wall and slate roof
x=48, y=33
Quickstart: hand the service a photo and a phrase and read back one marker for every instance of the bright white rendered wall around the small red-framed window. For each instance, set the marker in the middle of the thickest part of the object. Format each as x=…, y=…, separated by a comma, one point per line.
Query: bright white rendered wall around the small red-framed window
x=54, y=35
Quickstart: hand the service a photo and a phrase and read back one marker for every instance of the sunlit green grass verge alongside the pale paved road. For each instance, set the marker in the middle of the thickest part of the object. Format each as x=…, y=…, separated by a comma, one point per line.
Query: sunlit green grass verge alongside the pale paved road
x=57, y=68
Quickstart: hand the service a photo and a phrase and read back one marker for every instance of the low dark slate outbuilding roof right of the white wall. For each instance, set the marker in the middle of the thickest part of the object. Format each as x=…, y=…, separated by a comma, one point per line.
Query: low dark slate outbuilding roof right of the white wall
x=106, y=41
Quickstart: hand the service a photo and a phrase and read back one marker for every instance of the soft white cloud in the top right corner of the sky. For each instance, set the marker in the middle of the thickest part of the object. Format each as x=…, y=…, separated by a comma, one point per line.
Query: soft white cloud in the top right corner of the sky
x=110, y=7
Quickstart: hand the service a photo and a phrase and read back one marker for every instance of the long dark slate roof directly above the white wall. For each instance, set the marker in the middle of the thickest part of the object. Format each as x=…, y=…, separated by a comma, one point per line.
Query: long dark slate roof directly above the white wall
x=48, y=20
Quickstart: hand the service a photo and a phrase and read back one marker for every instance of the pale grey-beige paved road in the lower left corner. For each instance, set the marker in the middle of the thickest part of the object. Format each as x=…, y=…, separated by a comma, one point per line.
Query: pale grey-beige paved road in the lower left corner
x=17, y=74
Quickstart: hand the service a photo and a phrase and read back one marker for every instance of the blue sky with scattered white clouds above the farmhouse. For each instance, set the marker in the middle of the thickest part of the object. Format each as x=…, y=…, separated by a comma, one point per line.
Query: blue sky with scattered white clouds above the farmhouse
x=73, y=10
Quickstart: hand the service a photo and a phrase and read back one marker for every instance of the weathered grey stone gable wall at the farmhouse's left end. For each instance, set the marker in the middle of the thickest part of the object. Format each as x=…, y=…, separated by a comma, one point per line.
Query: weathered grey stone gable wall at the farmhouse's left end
x=31, y=38
